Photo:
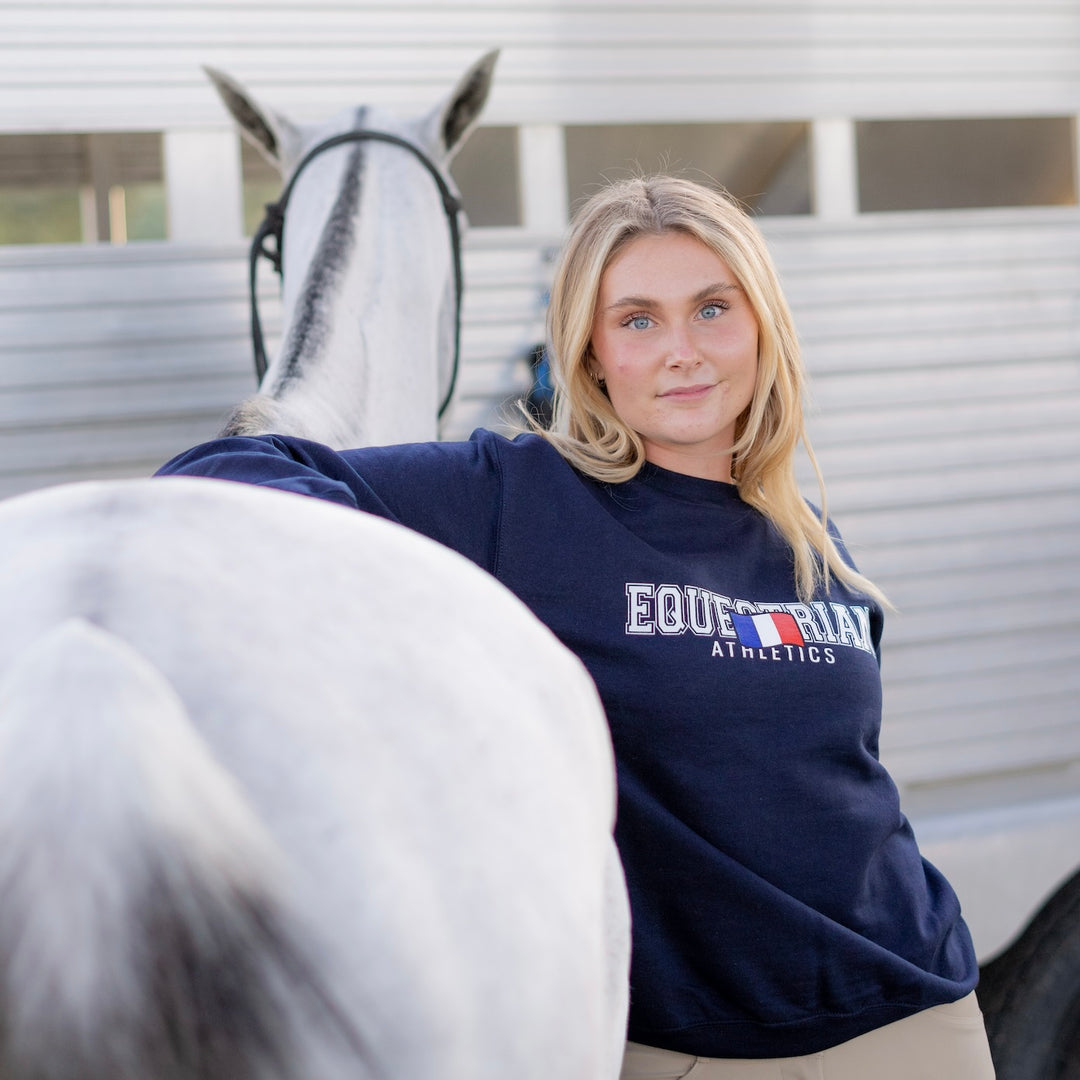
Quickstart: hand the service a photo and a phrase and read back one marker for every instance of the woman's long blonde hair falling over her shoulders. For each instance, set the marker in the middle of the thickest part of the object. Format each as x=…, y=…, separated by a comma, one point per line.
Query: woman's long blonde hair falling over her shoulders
x=589, y=434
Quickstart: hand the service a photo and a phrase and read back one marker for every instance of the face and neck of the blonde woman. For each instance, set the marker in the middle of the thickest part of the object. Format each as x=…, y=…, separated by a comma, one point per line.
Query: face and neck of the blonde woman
x=676, y=341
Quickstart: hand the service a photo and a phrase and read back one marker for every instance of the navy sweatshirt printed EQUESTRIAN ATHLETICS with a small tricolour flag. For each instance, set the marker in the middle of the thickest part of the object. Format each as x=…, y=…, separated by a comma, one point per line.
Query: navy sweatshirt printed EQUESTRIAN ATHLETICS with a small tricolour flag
x=780, y=903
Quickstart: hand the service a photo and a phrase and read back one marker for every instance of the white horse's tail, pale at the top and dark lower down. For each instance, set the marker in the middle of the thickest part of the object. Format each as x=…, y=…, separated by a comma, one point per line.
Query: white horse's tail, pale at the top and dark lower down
x=143, y=933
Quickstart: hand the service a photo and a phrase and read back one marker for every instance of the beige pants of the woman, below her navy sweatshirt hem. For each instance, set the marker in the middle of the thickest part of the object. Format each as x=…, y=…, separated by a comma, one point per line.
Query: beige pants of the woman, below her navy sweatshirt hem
x=948, y=1043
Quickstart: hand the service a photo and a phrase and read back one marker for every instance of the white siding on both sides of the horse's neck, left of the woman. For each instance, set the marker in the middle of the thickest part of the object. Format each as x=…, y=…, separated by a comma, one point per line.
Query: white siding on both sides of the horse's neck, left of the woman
x=115, y=359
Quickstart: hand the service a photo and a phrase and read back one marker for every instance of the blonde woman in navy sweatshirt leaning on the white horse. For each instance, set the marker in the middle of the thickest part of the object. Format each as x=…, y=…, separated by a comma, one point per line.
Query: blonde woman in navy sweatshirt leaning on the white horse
x=785, y=923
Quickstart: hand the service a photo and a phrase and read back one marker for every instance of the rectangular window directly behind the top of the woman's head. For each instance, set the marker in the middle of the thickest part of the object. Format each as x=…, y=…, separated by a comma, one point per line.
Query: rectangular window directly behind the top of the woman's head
x=764, y=165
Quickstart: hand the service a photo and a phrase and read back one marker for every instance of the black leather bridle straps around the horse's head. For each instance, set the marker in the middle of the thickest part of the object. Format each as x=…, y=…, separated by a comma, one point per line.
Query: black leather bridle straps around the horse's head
x=274, y=227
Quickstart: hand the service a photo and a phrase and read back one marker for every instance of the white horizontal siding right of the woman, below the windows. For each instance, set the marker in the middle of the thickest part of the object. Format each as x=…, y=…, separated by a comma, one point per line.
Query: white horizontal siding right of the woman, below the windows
x=944, y=354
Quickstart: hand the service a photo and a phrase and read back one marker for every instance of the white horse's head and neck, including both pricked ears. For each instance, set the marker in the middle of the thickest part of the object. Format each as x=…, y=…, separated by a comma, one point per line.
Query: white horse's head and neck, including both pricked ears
x=370, y=267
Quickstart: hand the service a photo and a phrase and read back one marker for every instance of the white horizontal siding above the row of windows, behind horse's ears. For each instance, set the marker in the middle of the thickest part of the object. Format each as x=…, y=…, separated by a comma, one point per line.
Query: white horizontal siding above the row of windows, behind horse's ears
x=89, y=65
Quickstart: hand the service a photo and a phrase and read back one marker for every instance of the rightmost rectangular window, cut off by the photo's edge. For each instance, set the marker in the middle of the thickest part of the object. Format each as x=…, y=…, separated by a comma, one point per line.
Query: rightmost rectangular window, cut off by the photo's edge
x=950, y=165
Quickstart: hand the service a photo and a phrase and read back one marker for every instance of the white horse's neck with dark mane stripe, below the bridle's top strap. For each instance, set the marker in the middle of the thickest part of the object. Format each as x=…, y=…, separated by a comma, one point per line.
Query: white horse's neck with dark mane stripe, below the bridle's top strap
x=368, y=280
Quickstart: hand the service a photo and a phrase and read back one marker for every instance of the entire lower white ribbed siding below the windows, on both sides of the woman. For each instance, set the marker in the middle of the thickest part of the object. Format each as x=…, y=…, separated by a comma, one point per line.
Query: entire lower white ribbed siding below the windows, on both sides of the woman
x=944, y=354
